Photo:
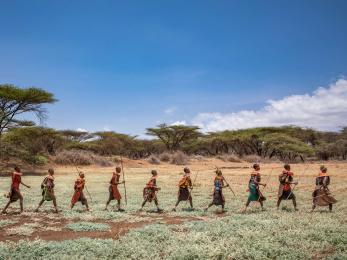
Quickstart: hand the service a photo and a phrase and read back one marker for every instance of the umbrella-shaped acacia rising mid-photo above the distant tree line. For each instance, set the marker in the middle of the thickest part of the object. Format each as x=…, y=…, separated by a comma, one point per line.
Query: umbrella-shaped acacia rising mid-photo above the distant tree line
x=174, y=135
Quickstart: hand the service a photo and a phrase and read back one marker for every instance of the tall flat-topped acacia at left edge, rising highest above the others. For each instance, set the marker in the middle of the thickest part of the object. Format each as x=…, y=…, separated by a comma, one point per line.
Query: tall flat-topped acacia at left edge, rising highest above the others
x=15, y=101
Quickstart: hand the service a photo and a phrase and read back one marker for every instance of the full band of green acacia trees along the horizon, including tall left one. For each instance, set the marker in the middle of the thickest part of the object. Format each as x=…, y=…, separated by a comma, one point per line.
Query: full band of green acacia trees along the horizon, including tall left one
x=22, y=139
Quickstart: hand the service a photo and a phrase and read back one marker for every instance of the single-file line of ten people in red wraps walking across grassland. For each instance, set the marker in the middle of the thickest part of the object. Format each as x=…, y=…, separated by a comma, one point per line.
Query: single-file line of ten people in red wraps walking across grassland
x=321, y=195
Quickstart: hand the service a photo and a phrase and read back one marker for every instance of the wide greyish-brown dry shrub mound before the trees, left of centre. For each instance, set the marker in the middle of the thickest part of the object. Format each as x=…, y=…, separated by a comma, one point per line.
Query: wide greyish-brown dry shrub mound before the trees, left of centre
x=77, y=157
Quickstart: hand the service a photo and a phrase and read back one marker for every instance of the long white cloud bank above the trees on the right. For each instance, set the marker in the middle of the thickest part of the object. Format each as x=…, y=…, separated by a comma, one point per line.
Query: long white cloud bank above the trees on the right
x=324, y=109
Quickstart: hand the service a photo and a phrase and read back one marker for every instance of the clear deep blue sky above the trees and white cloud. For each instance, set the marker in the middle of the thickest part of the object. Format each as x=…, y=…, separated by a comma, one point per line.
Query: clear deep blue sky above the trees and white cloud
x=128, y=65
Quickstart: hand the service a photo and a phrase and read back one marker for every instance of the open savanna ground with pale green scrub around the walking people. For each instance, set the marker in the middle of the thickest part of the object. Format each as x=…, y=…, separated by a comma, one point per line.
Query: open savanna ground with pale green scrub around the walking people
x=185, y=234
